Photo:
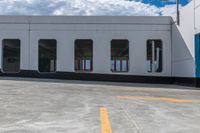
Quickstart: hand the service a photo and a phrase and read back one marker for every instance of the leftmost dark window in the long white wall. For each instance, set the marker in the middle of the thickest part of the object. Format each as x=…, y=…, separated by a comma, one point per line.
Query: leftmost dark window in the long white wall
x=11, y=55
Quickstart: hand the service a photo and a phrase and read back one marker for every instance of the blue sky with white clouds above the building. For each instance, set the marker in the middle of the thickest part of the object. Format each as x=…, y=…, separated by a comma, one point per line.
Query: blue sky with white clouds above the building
x=88, y=7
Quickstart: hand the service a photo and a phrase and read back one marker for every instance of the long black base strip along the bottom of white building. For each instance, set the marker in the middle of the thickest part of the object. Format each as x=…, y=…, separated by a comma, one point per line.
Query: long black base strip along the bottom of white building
x=107, y=77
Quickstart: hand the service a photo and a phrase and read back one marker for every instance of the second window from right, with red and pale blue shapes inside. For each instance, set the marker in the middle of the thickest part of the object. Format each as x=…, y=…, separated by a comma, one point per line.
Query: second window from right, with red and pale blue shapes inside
x=119, y=55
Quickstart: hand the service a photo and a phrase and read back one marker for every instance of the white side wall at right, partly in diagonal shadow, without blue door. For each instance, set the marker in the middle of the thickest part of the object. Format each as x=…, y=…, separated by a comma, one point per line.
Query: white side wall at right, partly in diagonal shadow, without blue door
x=183, y=63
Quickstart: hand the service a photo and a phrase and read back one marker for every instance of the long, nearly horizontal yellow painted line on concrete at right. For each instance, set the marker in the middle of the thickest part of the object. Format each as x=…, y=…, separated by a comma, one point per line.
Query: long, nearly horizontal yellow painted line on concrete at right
x=166, y=99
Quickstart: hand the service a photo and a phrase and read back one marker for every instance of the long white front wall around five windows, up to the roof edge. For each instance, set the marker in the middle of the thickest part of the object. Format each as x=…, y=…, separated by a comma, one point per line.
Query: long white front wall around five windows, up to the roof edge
x=65, y=30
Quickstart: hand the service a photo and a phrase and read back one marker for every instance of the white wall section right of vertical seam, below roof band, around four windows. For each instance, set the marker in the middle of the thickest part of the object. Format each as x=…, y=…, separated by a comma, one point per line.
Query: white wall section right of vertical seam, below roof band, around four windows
x=102, y=34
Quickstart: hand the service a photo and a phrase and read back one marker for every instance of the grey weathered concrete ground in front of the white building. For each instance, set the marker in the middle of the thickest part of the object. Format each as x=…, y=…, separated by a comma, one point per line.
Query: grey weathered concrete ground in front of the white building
x=57, y=106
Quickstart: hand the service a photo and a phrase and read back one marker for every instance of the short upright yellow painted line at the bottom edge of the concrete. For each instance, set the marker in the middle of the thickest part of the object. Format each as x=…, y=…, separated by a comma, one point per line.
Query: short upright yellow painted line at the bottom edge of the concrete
x=105, y=122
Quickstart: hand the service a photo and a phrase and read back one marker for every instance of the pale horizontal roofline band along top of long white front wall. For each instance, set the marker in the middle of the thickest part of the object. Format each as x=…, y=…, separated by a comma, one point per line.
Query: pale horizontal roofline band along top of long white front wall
x=165, y=20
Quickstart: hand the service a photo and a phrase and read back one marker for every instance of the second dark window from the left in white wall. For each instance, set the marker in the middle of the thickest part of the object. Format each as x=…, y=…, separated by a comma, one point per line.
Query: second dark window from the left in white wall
x=47, y=55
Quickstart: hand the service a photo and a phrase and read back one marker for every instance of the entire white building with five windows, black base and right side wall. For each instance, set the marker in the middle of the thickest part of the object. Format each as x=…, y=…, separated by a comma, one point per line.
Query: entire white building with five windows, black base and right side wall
x=129, y=49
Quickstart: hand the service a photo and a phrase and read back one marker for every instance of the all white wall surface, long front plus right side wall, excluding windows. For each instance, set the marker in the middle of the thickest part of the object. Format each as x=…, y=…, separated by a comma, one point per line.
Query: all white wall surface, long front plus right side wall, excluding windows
x=178, y=41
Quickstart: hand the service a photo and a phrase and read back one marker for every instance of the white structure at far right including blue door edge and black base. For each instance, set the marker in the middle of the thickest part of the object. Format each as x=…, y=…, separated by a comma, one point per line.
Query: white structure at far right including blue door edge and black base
x=185, y=38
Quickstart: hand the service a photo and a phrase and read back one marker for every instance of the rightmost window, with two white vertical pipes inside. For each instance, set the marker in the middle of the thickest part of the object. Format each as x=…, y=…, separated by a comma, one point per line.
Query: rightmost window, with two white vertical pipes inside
x=154, y=56
